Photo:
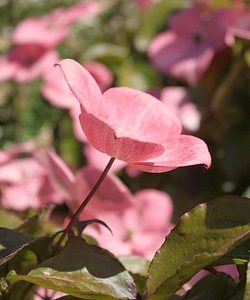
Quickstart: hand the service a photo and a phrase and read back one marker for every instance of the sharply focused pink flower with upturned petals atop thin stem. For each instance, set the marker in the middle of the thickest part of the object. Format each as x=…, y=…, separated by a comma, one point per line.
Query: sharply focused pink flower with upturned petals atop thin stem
x=132, y=126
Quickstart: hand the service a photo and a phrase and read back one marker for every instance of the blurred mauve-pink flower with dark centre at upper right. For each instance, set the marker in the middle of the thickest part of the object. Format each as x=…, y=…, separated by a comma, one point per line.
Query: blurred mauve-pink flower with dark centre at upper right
x=186, y=50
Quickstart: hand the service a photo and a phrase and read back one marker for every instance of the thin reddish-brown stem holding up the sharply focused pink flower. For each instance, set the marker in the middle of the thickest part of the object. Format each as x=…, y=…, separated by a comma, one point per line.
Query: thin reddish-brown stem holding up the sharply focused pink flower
x=83, y=205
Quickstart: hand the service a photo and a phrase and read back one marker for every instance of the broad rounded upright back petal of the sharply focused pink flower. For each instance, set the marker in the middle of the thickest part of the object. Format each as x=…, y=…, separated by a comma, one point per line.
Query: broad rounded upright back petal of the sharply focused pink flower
x=140, y=112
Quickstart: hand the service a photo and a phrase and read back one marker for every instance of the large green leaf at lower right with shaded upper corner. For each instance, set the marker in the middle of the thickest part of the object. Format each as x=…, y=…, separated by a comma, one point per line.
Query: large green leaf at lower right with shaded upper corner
x=202, y=236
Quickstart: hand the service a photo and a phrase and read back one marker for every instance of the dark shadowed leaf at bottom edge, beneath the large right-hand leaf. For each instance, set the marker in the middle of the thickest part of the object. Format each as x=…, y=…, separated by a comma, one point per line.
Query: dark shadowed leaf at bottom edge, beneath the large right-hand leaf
x=211, y=287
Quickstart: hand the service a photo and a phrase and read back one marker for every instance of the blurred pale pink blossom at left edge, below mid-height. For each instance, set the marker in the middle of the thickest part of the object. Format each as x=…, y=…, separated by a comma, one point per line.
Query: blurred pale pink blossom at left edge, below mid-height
x=23, y=185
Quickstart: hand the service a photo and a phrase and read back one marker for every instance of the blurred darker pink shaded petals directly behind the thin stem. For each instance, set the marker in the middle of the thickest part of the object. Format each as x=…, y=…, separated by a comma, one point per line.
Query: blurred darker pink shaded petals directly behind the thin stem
x=112, y=195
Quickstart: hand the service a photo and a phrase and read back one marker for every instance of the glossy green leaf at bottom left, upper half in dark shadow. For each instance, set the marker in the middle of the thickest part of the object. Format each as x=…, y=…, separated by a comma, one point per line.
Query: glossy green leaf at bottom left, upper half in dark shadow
x=84, y=271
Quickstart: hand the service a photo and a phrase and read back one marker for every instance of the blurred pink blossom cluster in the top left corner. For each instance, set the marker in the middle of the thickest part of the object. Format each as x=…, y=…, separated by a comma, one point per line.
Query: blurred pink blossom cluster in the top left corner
x=34, y=41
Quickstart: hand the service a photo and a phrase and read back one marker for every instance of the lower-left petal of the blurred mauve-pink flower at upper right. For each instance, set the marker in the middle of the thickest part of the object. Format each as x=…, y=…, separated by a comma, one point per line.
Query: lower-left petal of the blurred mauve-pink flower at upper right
x=179, y=56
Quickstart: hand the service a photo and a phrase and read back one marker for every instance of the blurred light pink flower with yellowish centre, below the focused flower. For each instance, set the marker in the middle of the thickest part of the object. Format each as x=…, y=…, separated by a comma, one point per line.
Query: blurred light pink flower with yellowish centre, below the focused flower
x=139, y=229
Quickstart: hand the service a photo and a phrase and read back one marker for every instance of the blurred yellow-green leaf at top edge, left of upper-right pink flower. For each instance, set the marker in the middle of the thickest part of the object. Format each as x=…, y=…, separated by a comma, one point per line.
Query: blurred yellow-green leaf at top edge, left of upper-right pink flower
x=153, y=20
